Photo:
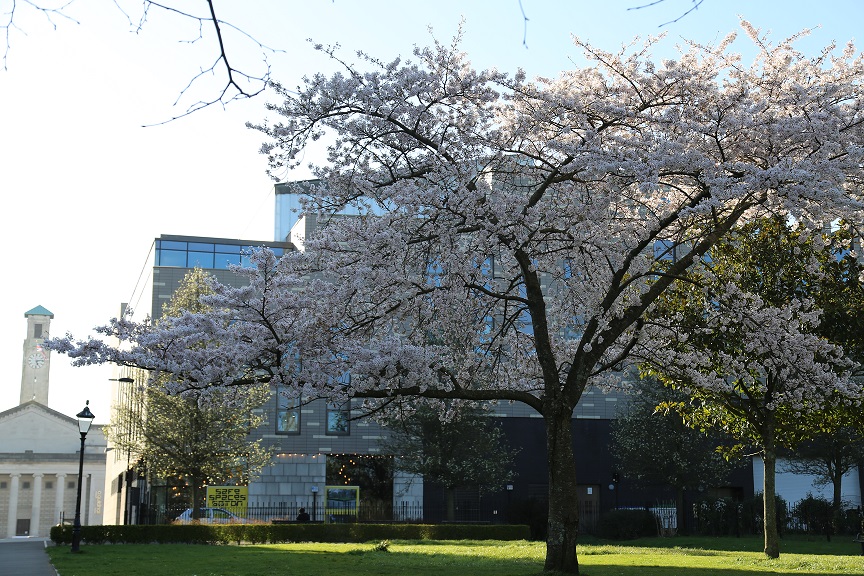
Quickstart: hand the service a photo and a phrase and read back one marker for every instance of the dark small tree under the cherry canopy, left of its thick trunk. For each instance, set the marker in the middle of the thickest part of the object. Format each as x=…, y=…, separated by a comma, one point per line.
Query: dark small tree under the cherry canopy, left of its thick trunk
x=454, y=444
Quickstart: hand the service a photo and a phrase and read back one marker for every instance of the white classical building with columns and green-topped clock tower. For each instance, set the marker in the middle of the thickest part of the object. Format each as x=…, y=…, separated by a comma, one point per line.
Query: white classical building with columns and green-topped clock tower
x=40, y=452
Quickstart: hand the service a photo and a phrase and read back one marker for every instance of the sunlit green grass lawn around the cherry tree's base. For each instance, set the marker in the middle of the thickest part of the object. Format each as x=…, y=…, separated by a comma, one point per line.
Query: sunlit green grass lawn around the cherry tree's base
x=646, y=557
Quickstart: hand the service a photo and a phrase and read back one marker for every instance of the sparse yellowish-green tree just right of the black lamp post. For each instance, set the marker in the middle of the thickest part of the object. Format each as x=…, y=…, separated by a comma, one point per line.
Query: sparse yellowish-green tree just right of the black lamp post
x=200, y=437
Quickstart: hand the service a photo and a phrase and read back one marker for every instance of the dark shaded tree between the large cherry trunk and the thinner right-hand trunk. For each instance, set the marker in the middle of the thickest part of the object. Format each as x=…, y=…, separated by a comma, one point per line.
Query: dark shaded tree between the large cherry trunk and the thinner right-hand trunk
x=655, y=447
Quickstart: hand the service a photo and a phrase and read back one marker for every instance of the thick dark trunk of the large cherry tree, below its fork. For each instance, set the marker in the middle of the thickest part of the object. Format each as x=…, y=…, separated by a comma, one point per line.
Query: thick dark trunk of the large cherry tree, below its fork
x=563, y=524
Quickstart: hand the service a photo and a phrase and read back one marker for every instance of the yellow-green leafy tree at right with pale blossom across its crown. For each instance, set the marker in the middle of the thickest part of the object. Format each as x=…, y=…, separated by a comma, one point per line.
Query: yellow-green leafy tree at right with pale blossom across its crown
x=747, y=348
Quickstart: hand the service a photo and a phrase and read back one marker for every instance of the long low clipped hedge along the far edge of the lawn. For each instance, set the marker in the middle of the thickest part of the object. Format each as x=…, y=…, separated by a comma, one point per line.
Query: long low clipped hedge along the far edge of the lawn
x=277, y=533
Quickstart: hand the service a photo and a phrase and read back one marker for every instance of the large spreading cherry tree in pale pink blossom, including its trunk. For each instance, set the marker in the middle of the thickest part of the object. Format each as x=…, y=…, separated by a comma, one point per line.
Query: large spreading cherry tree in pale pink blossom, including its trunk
x=506, y=247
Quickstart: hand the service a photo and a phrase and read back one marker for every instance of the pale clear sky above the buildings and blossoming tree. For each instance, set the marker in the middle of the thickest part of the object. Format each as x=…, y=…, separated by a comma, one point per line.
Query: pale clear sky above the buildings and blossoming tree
x=86, y=188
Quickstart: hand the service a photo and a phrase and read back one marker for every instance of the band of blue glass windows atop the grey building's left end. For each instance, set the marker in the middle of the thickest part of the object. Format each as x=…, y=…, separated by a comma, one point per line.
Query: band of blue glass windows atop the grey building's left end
x=207, y=255
